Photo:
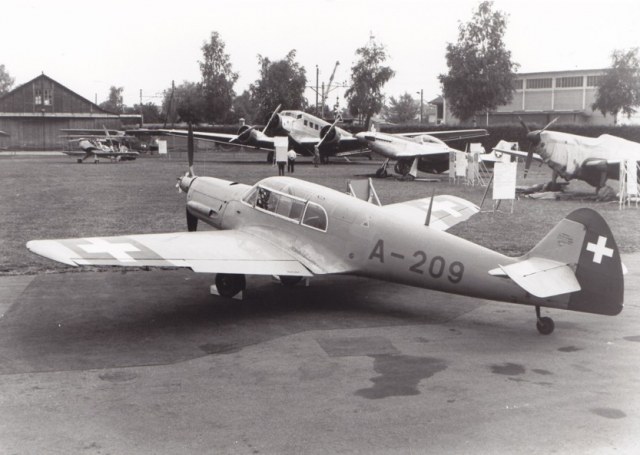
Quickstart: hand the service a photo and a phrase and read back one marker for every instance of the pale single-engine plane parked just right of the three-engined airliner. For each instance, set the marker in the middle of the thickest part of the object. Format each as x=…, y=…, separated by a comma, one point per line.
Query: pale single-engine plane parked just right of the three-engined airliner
x=427, y=152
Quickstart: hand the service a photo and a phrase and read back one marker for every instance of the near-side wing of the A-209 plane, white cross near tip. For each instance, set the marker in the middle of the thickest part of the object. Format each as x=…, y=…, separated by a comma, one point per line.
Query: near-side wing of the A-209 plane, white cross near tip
x=203, y=252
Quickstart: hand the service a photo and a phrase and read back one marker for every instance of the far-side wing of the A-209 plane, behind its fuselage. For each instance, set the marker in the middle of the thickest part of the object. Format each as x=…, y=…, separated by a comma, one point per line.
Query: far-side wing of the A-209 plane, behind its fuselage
x=446, y=212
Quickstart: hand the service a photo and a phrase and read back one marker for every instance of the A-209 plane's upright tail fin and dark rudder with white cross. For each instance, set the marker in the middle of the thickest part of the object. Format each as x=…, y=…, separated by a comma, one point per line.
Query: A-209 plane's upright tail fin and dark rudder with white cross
x=584, y=242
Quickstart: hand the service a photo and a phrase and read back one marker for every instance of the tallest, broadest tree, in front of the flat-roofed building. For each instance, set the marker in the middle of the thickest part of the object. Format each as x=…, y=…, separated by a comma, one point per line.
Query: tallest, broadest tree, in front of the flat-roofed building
x=481, y=74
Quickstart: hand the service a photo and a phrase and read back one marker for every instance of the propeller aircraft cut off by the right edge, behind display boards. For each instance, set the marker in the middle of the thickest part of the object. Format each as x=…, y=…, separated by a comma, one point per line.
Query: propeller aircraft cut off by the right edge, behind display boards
x=592, y=160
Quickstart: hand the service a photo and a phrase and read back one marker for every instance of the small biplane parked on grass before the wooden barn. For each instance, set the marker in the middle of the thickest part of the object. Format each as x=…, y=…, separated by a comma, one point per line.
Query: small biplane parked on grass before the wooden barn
x=111, y=145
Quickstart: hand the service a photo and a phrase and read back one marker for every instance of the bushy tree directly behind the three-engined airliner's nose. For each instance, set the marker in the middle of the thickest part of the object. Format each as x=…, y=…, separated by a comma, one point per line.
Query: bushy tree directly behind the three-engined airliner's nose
x=281, y=82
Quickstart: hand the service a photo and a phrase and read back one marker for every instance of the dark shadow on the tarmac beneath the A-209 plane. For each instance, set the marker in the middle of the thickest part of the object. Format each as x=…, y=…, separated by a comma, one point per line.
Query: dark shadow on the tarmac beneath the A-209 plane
x=103, y=320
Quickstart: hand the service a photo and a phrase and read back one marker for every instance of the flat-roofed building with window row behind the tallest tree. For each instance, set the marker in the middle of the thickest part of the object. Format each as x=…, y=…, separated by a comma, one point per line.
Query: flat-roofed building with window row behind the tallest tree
x=541, y=97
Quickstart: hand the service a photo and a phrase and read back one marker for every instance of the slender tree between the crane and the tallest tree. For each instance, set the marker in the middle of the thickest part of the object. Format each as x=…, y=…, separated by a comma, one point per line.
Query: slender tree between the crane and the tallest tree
x=368, y=76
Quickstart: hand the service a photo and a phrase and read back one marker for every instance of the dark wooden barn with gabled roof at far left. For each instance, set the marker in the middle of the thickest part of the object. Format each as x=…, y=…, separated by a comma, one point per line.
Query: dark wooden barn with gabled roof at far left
x=34, y=113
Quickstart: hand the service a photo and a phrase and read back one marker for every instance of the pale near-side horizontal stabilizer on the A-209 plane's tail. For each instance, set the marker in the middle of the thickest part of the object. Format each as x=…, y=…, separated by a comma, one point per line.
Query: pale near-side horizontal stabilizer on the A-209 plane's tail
x=541, y=277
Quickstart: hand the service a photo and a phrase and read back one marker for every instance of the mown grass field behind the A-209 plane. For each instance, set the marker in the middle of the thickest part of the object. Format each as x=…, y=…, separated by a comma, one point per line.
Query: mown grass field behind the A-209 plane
x=53, y=197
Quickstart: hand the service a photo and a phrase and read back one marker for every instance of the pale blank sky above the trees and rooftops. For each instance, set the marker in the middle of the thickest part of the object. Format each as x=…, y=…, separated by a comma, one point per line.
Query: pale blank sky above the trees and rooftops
x=89, y=46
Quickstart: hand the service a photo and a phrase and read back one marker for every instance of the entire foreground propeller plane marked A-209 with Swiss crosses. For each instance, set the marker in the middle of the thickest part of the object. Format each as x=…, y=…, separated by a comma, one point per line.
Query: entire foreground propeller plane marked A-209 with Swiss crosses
x=293, y=229
